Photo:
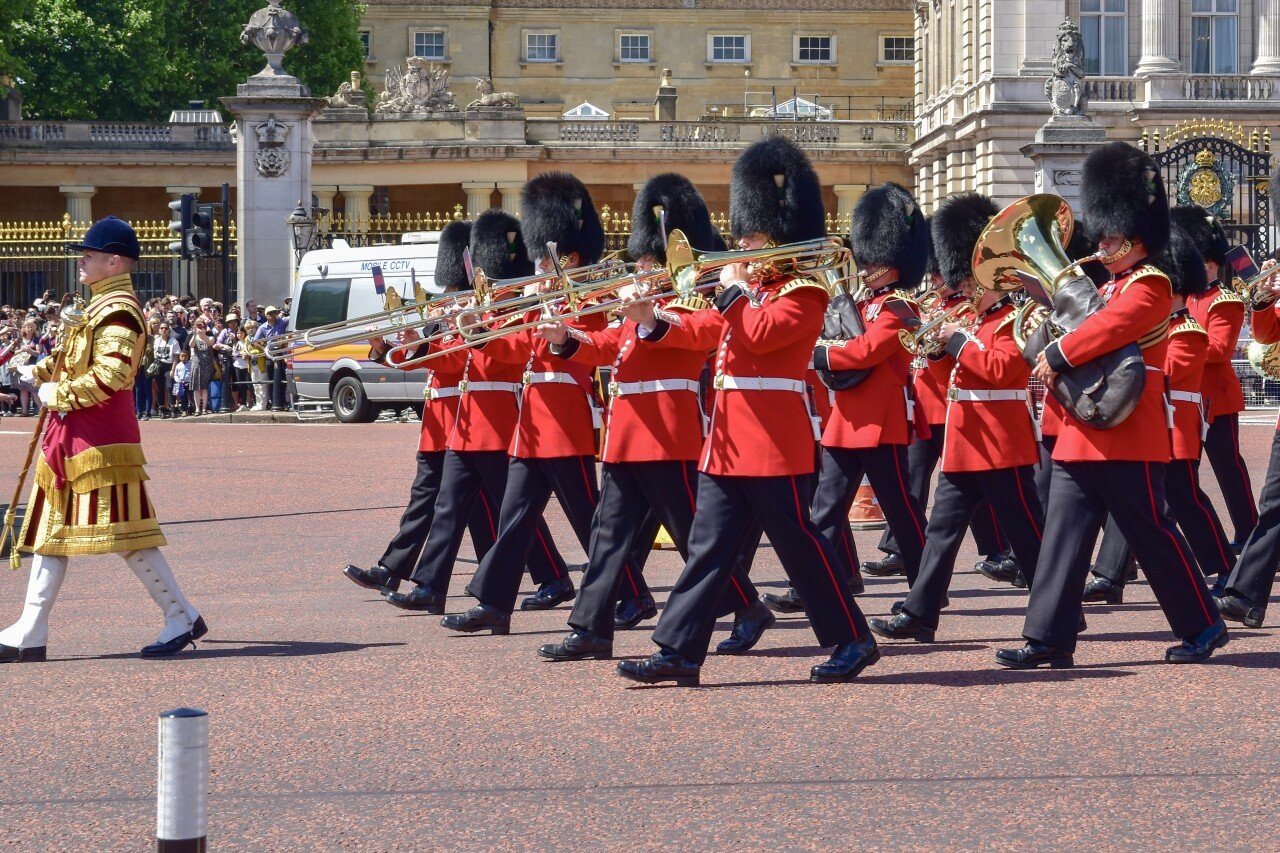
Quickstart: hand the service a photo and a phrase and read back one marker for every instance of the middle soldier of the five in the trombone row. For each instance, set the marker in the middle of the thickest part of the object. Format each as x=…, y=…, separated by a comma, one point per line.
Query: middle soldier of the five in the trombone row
x=554, y=446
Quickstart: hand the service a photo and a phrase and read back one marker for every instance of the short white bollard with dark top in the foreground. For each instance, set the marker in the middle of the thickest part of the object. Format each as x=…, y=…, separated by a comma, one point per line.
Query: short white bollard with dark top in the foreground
x=182, y=791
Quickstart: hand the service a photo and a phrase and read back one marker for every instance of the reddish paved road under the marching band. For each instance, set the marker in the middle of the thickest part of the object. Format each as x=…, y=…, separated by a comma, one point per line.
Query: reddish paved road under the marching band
x=339, y=723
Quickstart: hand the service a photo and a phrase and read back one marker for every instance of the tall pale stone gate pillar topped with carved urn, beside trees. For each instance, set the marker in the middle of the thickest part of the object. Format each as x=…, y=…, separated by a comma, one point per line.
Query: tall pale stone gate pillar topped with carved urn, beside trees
x=273, y=158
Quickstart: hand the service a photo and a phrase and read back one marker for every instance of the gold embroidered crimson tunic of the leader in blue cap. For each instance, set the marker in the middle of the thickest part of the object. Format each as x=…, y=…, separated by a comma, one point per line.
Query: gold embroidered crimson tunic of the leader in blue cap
x=90, y=494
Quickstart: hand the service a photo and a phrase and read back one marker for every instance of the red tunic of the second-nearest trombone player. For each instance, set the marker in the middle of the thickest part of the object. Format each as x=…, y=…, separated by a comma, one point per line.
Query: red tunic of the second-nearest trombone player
x=644, y=426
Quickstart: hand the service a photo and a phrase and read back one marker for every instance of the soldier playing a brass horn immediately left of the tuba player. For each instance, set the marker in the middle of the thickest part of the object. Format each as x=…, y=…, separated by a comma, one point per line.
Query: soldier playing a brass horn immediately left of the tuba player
x=989, y=443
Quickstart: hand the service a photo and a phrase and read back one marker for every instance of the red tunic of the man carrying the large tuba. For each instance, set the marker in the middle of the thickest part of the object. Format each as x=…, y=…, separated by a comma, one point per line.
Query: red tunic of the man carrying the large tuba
x=1137, y=311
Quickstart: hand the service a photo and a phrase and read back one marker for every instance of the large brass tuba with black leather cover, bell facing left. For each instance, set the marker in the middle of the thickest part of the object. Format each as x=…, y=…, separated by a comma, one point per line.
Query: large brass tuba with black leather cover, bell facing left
x=1022, y=247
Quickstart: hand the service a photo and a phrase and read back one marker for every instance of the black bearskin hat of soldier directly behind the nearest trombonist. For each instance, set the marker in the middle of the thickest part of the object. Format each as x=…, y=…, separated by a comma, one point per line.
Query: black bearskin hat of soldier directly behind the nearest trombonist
x=889, y=230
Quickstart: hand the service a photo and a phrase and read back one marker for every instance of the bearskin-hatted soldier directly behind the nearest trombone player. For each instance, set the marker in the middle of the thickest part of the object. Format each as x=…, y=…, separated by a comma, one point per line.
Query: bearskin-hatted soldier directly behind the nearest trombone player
x=874, y=422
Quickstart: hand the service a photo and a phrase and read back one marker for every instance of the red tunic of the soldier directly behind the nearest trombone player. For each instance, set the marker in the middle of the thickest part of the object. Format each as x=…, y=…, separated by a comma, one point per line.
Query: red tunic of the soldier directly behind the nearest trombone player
x=875, y=412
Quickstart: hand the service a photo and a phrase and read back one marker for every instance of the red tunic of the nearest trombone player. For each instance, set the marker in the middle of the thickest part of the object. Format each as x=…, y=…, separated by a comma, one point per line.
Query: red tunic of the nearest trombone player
x=757, y=434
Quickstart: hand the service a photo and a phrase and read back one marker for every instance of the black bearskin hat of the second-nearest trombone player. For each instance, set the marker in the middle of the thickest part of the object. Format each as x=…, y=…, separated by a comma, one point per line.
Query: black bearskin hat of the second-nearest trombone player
x=666, y=203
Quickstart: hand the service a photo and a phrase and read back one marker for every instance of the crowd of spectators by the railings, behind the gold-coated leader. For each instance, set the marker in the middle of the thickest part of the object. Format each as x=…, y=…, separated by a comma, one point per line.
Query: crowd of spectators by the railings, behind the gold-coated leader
x=198, y=358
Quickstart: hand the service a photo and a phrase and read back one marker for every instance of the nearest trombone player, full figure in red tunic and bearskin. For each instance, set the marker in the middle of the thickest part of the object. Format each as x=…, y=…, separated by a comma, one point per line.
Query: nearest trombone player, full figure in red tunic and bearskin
x=758, y=453
